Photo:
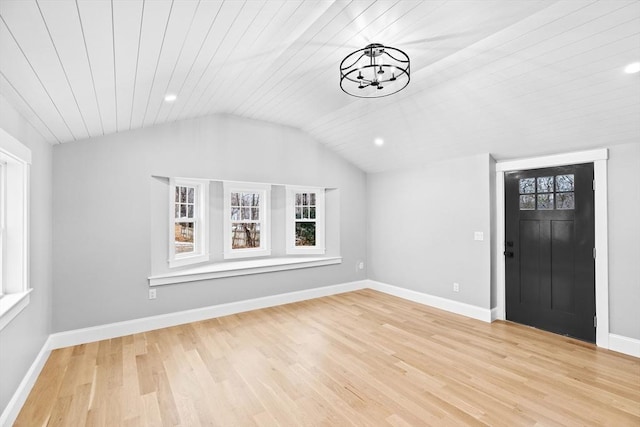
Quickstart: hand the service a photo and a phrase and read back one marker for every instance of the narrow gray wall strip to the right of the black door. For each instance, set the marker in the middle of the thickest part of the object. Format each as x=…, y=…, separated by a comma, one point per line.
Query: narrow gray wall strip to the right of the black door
x=624, y=240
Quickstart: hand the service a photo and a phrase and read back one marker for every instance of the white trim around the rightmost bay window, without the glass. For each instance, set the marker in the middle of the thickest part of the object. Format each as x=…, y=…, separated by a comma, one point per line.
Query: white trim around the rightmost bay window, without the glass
x=291, y=247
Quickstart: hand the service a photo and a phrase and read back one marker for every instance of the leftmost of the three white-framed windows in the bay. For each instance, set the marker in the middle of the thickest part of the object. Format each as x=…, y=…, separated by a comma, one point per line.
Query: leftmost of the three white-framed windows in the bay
x=188, y=228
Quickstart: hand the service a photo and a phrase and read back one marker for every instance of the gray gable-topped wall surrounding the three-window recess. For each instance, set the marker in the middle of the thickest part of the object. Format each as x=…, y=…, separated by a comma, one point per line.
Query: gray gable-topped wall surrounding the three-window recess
x=102, y=212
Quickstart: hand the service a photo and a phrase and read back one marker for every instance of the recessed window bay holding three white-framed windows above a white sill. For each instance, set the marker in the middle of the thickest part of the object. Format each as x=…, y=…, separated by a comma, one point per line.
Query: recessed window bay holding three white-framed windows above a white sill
x=252, y=228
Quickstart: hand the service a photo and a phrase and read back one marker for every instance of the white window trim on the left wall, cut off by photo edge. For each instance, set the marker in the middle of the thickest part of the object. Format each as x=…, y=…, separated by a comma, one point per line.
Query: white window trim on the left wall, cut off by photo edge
x=17, y=160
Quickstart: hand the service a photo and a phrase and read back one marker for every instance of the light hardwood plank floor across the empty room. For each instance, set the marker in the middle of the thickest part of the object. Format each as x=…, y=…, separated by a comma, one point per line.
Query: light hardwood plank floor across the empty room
x=361, y=358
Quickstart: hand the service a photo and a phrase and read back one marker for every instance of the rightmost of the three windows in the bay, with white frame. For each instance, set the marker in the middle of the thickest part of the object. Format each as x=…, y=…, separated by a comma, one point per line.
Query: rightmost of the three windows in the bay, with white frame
x=305, y=220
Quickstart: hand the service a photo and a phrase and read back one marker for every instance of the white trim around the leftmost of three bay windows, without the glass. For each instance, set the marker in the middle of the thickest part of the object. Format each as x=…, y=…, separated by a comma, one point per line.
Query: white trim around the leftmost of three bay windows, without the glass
x=201, y=219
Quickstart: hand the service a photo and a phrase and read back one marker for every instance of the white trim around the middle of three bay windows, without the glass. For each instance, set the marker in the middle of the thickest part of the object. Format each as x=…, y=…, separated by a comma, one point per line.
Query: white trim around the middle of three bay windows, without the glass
x=265, y=219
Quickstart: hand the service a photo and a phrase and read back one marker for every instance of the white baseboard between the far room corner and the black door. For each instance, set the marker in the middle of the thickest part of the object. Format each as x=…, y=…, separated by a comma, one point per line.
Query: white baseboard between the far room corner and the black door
x=464, y=309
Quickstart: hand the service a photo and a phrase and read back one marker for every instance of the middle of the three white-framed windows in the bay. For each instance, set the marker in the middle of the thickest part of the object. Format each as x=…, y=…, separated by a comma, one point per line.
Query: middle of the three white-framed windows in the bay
x=246, y=220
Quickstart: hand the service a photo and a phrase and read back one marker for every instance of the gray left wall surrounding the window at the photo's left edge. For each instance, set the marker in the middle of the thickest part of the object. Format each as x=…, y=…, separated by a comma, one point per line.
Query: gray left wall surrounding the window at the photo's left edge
x=22, y=339
